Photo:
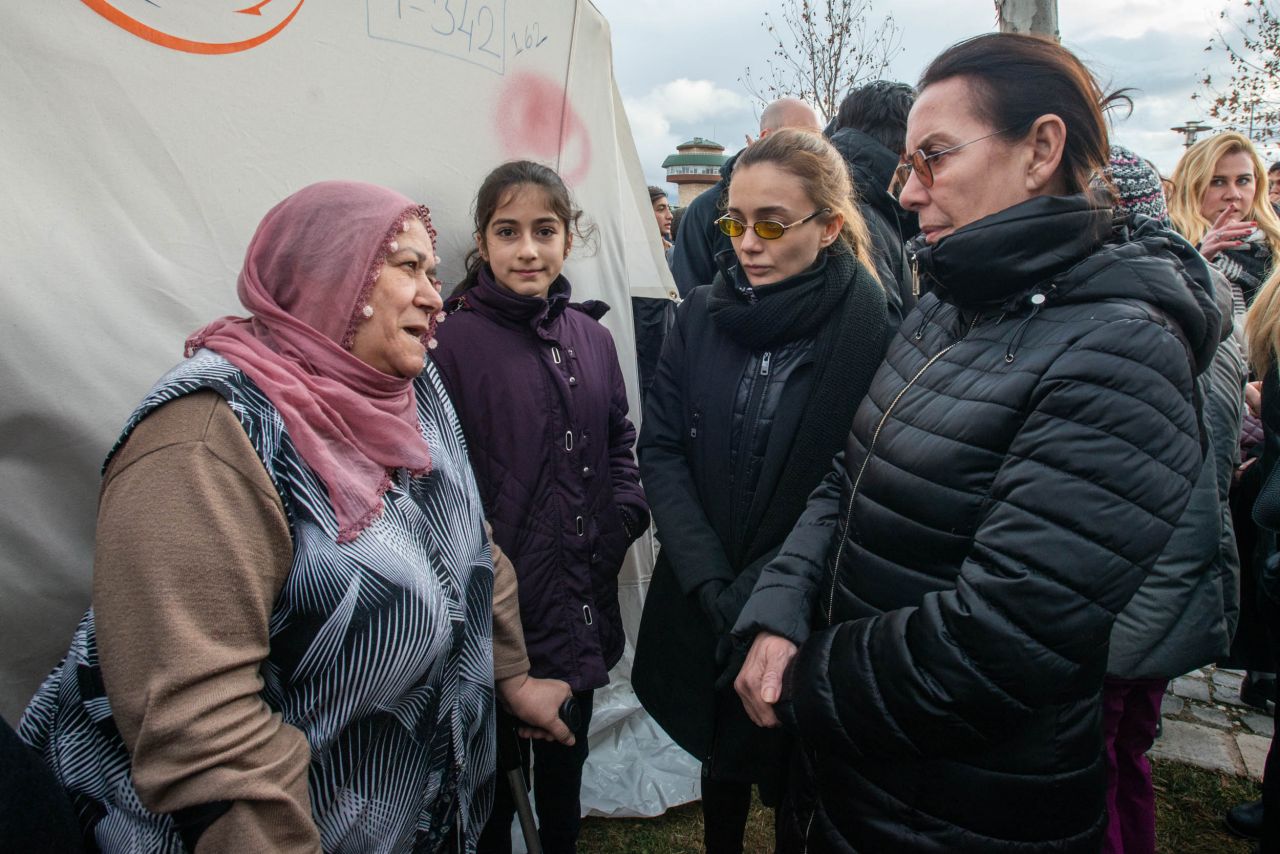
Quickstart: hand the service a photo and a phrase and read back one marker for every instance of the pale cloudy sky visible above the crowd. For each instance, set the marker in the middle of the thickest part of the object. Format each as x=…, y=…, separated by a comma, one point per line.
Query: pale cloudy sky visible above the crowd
x=679, y=62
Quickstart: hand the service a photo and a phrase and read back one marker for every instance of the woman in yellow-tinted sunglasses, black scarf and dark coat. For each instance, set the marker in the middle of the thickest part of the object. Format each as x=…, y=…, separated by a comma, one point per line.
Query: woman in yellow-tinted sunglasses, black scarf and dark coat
x=753, y=396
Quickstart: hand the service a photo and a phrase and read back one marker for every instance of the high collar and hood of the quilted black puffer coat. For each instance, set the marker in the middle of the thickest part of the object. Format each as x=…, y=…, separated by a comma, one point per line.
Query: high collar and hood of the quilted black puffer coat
x=1068, y=250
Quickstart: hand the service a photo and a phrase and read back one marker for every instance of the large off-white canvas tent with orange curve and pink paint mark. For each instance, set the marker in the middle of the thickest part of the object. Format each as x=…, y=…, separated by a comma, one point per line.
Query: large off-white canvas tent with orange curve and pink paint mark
x=140, y=144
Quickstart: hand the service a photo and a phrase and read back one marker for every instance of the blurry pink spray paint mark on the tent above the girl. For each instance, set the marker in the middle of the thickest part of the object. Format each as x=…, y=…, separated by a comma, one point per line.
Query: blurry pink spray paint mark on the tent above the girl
x=534, y=120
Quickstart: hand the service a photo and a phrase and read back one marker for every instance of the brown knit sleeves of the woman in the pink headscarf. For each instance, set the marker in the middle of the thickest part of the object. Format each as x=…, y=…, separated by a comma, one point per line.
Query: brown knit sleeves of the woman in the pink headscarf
x=193, y=551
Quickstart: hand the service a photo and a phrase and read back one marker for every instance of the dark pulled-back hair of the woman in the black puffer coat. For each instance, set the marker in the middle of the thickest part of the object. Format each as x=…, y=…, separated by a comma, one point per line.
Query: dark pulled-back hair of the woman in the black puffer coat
x=1018, y=79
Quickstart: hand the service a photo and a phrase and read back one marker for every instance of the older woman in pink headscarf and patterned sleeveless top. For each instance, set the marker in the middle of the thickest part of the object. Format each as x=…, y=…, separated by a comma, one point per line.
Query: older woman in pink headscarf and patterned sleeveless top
x=290, y=643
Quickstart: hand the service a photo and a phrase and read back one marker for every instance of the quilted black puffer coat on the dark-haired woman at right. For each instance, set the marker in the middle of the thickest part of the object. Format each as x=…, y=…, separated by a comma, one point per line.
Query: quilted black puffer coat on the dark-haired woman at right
x=1016, y=469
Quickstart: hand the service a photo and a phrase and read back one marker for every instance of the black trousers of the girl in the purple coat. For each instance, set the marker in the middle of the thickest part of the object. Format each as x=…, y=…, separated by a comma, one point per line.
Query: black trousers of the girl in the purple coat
x=557, y=783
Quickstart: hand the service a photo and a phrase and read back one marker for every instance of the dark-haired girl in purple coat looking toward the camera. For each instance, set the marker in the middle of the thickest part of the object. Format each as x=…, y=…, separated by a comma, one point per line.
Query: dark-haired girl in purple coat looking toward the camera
x=537, y=385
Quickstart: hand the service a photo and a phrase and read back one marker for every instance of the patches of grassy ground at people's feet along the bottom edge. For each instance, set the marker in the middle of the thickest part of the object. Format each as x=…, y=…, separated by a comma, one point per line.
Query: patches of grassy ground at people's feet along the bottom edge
x=1190, y=806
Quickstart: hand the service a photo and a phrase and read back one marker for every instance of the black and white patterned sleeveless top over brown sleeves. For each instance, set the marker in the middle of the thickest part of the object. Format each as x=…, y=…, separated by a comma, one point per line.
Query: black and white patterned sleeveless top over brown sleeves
x=381, y=651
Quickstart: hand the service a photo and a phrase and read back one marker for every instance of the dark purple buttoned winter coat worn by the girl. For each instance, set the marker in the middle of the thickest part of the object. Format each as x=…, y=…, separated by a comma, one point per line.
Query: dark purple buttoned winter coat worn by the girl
x=540, y=392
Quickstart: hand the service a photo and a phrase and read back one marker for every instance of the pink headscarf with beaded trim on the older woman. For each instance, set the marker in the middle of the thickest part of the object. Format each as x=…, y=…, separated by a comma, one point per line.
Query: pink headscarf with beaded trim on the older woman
x=308, y=275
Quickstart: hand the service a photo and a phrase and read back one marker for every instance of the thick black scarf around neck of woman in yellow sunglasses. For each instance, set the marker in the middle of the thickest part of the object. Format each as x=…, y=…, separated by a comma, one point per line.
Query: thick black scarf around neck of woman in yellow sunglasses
x=840, y=305
